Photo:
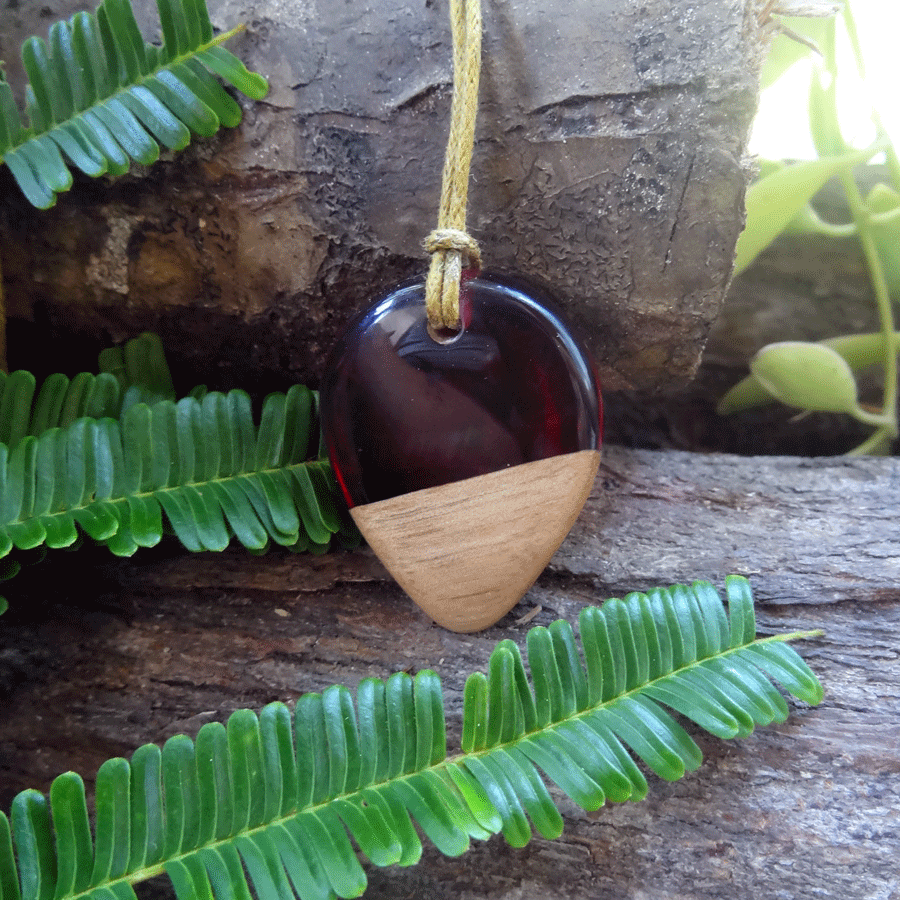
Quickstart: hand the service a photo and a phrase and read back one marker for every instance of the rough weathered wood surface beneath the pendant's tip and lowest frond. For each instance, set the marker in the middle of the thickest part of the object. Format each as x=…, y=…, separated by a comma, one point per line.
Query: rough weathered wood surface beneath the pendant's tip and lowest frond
x=97, y=661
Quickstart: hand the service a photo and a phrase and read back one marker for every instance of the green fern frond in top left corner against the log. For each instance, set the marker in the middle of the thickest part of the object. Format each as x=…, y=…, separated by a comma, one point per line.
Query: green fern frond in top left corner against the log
x=99, y=96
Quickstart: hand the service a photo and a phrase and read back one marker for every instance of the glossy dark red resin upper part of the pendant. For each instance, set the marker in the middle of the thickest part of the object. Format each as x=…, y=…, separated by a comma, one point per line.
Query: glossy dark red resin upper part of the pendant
x=402, y=411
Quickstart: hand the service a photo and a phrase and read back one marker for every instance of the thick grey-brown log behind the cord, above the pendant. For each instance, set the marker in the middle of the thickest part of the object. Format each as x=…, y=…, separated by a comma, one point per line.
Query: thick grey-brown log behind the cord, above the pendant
x=609, y=162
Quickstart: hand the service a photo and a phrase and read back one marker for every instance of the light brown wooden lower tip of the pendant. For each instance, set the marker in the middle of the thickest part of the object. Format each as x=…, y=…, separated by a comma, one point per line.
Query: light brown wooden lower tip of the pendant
x=466, y=552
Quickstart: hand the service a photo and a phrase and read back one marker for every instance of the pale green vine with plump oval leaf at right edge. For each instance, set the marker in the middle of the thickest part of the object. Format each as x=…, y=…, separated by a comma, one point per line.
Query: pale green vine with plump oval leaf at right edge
x=821, y=377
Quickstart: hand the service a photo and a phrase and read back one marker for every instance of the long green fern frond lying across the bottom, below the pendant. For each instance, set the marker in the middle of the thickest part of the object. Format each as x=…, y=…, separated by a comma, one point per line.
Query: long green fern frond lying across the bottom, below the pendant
x=274, y=803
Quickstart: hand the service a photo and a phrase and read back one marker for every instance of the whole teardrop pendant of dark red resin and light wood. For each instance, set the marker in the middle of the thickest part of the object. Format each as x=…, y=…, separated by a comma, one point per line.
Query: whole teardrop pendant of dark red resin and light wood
x=465, y=458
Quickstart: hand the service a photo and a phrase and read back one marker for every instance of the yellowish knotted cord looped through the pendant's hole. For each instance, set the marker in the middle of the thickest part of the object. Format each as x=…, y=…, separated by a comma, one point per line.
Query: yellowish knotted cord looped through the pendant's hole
x=449, y=243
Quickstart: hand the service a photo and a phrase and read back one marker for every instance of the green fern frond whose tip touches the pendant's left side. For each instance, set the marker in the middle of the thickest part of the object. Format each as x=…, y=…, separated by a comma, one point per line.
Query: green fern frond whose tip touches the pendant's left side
x=202, y=462
